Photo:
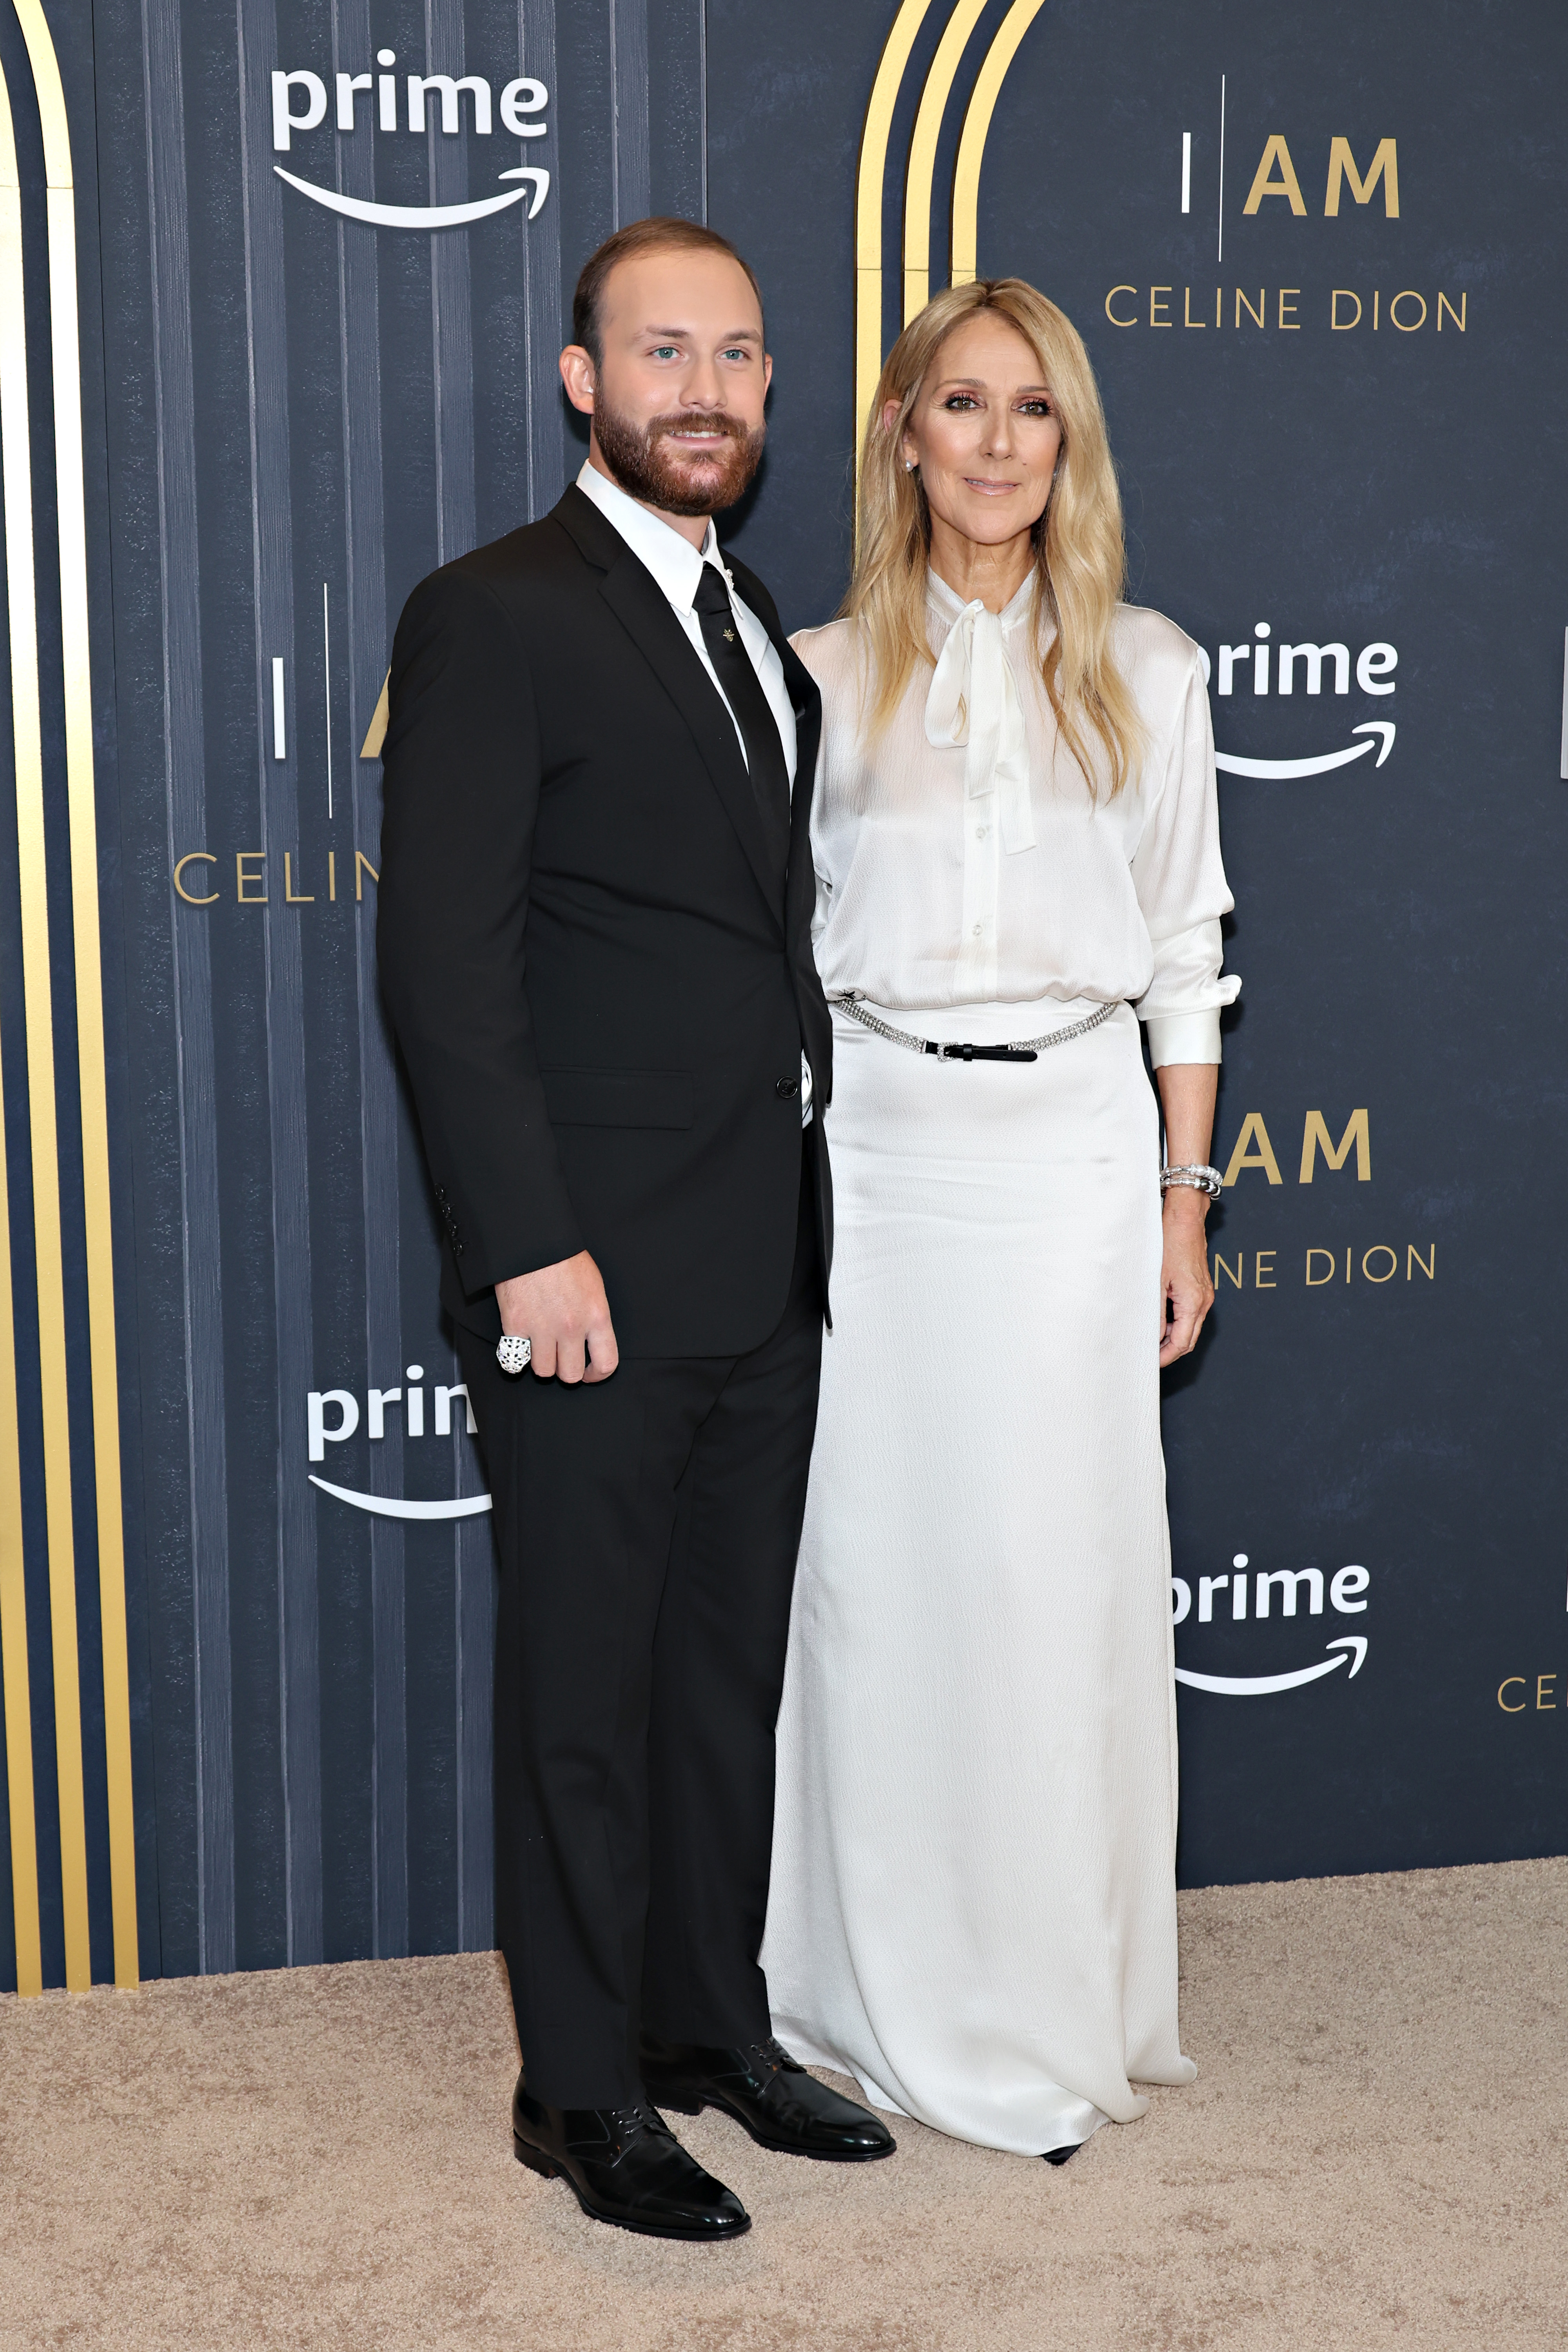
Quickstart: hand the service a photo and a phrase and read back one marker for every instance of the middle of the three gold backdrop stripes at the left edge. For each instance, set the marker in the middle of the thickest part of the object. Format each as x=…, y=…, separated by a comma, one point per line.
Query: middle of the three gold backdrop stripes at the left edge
x=48, y=1259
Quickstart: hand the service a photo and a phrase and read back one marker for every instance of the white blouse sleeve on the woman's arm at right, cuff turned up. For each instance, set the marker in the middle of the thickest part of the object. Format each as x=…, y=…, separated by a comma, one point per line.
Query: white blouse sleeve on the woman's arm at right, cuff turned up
x=1181, y=888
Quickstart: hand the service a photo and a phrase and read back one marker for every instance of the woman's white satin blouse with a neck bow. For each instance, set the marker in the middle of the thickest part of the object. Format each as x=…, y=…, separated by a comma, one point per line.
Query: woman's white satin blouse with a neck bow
x=963, y=860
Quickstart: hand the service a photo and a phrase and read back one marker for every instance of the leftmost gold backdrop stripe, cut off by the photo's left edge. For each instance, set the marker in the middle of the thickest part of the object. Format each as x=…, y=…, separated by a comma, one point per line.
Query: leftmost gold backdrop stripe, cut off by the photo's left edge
x=13, y=1563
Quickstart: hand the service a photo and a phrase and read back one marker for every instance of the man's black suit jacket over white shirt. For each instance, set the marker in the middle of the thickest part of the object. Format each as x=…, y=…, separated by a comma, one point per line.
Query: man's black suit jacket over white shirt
x=598, y=977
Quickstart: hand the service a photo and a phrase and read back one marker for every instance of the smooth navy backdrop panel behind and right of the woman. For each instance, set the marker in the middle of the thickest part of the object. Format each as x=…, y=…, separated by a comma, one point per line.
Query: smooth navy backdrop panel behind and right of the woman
x=1400, y=928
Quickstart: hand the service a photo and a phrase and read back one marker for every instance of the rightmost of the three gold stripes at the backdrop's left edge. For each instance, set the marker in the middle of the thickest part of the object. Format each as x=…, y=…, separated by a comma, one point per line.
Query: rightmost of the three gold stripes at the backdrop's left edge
x=81, y=791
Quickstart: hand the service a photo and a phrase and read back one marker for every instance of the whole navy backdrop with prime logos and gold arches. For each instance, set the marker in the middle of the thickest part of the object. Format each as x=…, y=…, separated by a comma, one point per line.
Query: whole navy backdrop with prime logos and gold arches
x=283, y=288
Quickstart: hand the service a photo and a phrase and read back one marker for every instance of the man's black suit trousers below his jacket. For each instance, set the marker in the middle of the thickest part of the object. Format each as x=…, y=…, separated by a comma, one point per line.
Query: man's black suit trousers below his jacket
x=648, y=1535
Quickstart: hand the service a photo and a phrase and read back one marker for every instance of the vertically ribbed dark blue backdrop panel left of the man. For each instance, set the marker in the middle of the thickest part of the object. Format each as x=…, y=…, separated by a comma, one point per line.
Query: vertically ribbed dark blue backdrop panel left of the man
x=307, y=415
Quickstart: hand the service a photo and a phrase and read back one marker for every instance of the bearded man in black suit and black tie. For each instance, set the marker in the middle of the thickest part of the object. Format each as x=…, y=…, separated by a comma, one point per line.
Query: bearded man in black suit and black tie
x=596, y=942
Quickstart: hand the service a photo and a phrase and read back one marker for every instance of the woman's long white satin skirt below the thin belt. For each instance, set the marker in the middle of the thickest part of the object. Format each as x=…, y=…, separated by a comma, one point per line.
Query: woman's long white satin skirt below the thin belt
x=974, y=1850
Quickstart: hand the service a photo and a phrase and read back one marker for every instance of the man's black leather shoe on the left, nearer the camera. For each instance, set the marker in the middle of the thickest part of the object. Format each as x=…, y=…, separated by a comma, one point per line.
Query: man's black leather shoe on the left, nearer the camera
x=626, y=2167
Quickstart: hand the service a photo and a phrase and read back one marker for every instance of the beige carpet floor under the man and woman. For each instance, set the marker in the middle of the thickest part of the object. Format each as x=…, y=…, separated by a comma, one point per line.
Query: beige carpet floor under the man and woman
x=1374, y=2153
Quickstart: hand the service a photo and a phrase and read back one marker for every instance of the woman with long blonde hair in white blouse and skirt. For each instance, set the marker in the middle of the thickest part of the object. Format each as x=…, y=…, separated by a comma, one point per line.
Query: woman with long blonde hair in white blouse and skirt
x=1019, y=862
